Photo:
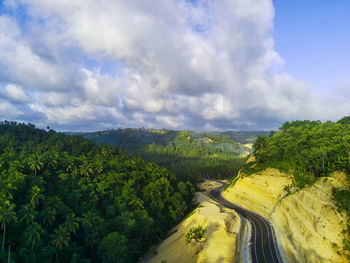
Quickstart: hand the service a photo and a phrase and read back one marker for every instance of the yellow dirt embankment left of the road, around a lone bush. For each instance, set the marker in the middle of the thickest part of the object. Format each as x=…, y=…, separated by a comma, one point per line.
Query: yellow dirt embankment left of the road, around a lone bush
x=220, y=242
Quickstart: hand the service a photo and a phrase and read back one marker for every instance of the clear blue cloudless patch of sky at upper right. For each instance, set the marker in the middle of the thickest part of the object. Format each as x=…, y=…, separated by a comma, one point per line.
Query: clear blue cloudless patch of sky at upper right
x=313, y=37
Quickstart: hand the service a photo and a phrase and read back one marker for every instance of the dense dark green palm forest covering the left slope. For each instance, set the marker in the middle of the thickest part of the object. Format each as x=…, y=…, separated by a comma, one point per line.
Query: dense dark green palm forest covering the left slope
x=66, y=199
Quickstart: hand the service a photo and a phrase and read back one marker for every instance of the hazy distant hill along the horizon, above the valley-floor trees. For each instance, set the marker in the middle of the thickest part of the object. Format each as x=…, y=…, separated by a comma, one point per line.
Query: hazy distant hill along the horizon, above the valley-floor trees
x=189, y=143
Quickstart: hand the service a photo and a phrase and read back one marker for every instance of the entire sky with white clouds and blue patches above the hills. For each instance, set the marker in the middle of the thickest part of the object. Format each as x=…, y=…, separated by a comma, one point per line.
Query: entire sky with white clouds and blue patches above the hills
x=211, y=65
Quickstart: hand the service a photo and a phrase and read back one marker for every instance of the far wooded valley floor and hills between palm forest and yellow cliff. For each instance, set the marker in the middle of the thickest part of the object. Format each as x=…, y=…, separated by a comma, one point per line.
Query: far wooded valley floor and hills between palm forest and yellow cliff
x=191, y=155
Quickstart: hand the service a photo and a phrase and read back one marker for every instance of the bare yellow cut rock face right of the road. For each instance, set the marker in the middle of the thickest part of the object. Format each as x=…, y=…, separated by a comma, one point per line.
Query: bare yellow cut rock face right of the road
x=307, y=222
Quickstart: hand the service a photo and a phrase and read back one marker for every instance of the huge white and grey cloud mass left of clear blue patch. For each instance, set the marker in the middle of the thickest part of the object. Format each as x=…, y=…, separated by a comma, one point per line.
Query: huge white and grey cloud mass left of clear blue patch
x=181, y=65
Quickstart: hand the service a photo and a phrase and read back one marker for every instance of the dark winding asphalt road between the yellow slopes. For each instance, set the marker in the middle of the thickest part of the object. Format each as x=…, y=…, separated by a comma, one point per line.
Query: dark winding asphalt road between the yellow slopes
x=263, y=244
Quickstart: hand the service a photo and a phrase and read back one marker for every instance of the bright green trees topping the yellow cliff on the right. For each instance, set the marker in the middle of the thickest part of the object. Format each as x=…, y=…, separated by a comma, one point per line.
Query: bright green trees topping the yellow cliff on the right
x=308, y=150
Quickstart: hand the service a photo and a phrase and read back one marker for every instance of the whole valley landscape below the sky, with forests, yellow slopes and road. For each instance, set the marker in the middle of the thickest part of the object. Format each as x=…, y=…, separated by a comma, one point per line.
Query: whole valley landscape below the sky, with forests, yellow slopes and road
x=284, y=200
